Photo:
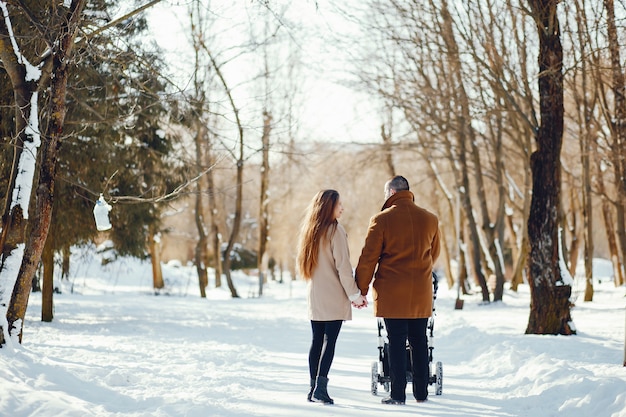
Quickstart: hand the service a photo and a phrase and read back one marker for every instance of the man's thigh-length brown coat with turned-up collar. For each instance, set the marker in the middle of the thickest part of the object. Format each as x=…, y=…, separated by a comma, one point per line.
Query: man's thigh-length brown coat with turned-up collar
x=403, y=240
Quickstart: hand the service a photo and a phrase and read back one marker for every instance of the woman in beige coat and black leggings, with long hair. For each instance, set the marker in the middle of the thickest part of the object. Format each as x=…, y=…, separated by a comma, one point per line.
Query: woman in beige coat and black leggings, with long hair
x=324, y=261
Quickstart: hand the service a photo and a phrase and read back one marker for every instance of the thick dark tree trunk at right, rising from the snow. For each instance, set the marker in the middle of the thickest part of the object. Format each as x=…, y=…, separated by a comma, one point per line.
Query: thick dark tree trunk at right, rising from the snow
x=550, y=293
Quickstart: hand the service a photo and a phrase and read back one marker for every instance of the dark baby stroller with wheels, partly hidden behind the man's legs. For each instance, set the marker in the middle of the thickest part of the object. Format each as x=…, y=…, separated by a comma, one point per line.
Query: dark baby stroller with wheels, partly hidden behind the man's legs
x=380, y=368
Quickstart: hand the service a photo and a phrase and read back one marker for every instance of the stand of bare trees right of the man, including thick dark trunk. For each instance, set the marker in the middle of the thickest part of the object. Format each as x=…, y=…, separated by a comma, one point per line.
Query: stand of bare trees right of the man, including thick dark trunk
x=516, y=107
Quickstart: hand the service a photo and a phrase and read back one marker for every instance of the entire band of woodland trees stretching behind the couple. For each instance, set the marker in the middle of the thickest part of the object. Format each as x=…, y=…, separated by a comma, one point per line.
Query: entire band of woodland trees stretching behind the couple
x=512, y=111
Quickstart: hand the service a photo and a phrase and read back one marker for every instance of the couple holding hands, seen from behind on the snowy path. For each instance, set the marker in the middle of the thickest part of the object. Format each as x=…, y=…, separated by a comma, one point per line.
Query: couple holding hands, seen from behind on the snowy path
x=401, y=247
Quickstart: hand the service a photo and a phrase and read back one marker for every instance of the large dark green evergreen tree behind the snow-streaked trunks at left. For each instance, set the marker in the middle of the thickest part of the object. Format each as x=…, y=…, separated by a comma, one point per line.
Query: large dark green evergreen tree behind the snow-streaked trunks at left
x=115, y=143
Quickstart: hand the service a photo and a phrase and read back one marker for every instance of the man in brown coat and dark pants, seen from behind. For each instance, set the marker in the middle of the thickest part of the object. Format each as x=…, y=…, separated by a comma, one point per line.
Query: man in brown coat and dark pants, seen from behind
x=403, y=240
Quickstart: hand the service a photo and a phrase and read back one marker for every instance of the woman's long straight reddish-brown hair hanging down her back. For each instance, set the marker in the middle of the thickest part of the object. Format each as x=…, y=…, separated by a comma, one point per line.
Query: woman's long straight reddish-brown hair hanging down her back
x=319, y=218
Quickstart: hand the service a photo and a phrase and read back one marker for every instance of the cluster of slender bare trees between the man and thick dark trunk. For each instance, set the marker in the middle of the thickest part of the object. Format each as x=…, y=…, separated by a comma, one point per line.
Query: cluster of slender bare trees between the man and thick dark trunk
x=471, y=107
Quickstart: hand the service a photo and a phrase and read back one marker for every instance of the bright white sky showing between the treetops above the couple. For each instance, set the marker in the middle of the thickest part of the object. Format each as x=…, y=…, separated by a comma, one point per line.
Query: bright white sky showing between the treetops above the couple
x=330, y=110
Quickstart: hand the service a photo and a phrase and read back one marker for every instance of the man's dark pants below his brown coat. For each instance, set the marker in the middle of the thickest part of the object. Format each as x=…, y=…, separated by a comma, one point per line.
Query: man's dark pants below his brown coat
x=398, y=331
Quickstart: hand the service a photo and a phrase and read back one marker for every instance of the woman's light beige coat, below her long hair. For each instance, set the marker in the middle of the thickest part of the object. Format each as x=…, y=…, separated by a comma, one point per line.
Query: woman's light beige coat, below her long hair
x=332, y=283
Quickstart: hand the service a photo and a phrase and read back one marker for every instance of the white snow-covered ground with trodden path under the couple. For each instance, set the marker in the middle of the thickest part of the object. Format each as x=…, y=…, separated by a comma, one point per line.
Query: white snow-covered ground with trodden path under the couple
x=115, y=349
